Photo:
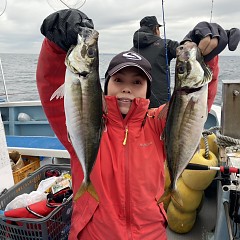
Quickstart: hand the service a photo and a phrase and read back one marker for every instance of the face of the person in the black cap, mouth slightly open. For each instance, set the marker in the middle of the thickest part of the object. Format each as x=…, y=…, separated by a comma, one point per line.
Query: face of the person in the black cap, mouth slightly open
x=127, y=84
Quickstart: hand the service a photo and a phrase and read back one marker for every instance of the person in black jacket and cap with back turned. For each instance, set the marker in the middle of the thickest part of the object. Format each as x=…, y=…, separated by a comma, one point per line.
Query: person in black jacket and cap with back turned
x=148, y=43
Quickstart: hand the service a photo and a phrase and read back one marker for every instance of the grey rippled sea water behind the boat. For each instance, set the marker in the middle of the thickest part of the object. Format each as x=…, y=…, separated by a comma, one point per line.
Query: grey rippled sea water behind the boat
x=20, y=74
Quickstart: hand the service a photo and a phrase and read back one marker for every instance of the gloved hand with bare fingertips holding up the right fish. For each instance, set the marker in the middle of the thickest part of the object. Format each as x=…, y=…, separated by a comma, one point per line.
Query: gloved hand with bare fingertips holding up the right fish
x=212, y=38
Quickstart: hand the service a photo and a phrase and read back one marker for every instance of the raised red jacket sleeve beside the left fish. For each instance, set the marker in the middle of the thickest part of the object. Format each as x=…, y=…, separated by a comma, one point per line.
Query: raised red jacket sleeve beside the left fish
x=51, y=75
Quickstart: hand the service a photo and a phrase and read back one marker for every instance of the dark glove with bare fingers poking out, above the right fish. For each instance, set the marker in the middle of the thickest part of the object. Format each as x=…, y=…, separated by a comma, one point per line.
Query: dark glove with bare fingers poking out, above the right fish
x=225, y=37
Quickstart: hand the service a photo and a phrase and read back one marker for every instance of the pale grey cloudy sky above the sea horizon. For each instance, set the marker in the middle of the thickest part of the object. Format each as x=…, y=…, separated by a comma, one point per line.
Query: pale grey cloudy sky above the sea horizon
x=116, y=20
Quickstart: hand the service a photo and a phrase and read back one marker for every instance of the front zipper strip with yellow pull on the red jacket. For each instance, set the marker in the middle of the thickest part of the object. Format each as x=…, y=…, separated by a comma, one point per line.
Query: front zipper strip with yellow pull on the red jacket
x=127, y=185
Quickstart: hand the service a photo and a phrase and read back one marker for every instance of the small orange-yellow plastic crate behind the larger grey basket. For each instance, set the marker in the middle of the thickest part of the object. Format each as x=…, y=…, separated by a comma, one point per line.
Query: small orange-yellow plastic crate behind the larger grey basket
x=31, y=164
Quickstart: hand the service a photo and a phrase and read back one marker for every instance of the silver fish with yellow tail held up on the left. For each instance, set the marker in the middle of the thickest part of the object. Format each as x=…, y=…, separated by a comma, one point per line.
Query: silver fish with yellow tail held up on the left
x=83, y=104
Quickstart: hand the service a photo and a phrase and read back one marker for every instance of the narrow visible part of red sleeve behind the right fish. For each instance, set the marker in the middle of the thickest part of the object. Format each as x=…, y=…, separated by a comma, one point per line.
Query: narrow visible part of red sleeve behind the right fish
x=212, y=86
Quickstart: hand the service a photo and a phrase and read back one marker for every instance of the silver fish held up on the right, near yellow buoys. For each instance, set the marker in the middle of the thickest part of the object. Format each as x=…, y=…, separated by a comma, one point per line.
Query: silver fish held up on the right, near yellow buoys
x=187, y=112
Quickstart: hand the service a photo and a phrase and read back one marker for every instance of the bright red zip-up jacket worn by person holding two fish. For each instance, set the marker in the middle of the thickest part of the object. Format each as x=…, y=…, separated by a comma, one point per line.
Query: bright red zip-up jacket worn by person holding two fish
x=129, y=179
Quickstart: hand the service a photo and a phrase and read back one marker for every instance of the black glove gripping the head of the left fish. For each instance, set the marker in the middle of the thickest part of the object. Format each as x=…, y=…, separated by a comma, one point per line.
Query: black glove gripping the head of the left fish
x=62, y=27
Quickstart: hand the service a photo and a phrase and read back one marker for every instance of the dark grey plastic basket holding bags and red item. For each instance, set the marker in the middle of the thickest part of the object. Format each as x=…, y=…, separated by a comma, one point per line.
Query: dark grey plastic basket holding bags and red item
x=55, y=226
